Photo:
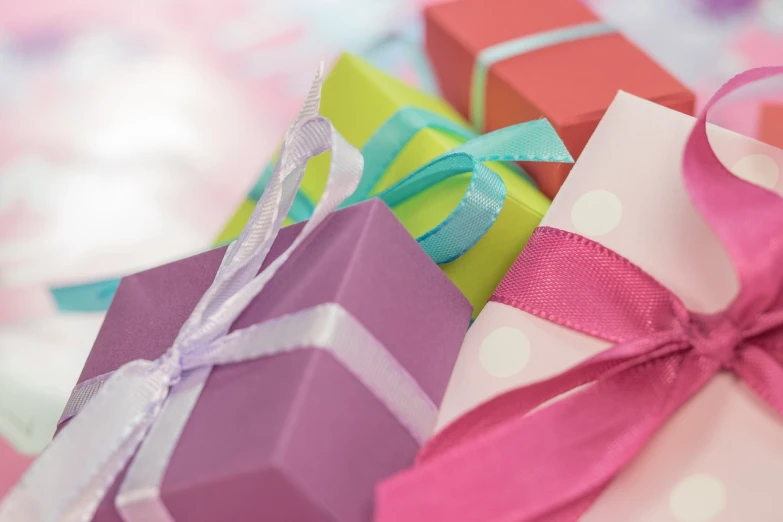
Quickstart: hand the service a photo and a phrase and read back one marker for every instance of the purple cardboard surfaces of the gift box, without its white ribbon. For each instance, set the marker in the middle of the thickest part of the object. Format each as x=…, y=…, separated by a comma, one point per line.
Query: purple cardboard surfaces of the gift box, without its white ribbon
x=296, y=436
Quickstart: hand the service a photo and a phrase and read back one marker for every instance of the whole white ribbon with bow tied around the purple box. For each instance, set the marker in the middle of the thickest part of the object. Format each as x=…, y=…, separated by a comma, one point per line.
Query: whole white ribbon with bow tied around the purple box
x=125, y=410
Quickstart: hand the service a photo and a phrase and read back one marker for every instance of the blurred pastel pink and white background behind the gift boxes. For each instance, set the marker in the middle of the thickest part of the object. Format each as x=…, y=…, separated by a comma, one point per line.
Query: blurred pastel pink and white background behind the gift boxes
x=129, y=133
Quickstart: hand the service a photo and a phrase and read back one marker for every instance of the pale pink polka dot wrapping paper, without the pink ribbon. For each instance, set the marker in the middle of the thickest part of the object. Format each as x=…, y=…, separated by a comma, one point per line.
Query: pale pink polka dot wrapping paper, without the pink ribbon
x=718, y=457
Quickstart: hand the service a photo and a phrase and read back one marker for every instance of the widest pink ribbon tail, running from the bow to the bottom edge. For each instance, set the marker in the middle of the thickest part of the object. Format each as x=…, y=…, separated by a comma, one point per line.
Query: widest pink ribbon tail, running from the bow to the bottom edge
x=548, y=466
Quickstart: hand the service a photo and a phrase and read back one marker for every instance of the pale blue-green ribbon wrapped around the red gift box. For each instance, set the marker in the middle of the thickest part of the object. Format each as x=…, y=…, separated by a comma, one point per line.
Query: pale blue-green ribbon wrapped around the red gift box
x=503, y=51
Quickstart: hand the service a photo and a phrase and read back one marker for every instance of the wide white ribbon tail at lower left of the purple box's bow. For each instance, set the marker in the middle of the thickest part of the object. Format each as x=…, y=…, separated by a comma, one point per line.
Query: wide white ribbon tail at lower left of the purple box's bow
x=70, y=478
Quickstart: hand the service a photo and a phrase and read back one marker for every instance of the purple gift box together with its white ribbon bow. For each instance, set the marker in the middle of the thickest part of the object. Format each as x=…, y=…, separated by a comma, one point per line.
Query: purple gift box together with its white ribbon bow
x=278, y=378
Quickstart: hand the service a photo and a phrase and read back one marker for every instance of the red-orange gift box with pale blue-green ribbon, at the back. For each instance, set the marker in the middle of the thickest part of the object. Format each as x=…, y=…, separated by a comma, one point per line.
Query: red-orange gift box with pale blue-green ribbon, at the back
x=501, y=62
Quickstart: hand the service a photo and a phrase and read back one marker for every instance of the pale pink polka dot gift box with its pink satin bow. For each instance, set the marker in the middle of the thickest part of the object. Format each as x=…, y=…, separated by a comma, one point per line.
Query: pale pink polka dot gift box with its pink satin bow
x=630, y=365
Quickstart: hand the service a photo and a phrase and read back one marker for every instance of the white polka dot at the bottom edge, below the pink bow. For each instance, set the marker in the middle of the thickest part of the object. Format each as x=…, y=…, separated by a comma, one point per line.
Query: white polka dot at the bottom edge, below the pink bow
x=698, y=498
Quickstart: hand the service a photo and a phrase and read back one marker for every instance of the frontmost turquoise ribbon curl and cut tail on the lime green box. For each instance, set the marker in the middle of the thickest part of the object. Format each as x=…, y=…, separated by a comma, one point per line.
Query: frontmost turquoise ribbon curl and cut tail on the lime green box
x=486, y=192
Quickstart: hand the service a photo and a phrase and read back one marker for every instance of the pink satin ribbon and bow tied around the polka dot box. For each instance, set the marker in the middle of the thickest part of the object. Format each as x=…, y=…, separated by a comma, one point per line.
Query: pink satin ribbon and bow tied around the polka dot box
x=521, y=458
